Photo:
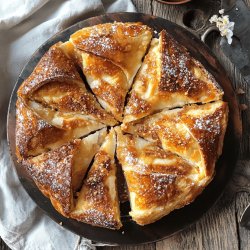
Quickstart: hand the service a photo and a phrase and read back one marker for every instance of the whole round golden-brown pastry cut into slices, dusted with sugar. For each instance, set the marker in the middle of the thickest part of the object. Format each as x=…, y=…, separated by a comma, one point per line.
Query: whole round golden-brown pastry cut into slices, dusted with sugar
x=115, y=114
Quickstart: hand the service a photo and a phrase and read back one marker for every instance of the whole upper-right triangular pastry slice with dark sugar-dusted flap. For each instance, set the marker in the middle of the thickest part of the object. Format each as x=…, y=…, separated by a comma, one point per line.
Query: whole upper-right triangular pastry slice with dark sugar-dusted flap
x=169, y=77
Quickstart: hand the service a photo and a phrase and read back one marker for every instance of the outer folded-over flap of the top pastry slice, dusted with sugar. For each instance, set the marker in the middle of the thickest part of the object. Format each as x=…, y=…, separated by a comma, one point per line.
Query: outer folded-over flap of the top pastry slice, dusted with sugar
x=124, y=44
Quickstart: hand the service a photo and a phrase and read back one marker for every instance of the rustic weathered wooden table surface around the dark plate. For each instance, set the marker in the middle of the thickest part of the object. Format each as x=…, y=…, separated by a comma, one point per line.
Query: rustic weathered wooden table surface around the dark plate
x=219, y=228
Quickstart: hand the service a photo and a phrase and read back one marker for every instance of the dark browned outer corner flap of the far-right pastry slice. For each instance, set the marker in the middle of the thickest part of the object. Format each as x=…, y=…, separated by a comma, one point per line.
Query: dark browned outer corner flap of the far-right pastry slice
x=208, y=128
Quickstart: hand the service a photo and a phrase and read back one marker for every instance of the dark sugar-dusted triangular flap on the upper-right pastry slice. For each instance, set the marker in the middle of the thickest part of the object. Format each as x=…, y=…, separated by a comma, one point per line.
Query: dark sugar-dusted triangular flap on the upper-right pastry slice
x=180, y=73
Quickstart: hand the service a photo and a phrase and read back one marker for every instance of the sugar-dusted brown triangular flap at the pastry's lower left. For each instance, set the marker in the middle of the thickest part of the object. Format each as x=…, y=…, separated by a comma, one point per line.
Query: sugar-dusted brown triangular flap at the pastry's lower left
x=52, y=173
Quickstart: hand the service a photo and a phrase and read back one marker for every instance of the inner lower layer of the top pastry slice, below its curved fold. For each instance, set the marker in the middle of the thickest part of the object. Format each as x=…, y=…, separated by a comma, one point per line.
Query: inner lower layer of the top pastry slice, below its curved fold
x=107, y=81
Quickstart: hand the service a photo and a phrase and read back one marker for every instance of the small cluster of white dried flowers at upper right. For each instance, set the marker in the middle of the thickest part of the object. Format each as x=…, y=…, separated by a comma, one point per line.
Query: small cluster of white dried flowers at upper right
x=224, y=25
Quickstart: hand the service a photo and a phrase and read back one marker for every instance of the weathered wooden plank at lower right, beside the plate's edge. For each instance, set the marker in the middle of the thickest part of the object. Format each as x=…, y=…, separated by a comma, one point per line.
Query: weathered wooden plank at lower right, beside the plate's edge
x=215, y=230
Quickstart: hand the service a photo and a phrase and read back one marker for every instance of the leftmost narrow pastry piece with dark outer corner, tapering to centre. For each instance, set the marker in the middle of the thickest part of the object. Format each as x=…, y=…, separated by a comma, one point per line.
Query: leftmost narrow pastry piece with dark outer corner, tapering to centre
x=35, y=136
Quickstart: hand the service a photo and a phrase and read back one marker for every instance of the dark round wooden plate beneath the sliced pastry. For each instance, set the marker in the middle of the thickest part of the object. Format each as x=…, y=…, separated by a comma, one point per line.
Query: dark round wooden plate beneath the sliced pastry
x=131, y=233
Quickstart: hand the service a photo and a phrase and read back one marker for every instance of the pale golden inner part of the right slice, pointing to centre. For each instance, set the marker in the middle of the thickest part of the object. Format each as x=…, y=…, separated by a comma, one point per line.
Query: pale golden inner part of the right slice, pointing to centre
x=167, y=130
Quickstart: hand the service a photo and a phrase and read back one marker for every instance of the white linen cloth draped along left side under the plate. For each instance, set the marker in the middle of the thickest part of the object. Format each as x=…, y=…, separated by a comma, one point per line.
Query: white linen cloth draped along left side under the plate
x=24, y=26
